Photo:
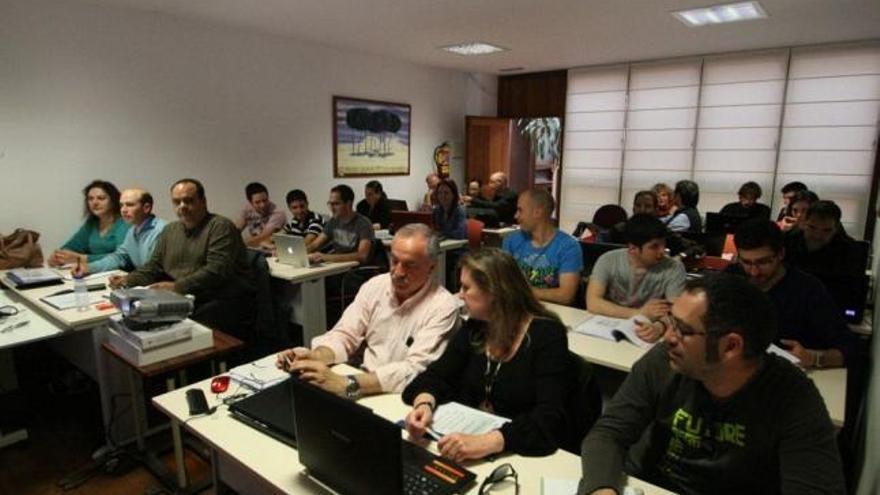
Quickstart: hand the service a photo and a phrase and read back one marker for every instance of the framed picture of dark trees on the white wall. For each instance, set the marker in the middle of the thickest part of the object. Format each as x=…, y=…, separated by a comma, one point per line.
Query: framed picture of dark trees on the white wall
x=370, y=137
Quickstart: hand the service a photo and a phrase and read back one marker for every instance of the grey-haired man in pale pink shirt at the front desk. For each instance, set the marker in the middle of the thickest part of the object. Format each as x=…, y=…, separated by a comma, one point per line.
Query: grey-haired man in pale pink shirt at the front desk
x=401, y=321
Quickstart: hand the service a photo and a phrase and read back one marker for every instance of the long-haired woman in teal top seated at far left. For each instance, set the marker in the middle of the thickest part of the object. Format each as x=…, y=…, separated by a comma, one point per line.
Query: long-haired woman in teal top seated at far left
x=101, y=233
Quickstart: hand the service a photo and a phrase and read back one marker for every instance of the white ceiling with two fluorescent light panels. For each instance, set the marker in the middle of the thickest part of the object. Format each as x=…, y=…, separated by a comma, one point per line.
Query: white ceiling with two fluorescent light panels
x=540, y=35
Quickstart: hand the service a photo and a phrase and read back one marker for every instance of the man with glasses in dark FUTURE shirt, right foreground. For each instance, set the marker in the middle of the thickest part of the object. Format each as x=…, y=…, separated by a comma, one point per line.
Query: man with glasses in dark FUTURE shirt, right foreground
x=709, y=411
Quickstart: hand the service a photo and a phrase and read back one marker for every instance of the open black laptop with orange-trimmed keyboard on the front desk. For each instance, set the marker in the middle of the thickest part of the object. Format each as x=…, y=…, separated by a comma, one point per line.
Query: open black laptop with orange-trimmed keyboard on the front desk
x=350, y=450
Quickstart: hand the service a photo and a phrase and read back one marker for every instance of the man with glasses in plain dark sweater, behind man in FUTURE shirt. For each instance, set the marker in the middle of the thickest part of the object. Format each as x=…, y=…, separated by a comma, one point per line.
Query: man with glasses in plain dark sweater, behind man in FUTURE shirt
x=810, y=324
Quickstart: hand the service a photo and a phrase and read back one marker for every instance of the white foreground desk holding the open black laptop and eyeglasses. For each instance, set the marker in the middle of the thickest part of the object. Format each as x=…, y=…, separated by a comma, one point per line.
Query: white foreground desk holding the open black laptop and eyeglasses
x=252, y=462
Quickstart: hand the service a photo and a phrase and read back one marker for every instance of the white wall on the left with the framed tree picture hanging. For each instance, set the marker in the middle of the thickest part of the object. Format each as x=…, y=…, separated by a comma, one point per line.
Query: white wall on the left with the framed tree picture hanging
x=144, y=99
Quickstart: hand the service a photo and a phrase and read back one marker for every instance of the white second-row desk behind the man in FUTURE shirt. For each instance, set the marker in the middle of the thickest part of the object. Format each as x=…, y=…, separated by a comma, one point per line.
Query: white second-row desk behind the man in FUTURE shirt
x=622, y=355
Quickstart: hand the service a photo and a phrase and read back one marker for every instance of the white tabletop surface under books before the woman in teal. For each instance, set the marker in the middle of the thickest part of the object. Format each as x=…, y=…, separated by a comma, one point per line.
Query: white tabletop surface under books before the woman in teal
x=68, y=318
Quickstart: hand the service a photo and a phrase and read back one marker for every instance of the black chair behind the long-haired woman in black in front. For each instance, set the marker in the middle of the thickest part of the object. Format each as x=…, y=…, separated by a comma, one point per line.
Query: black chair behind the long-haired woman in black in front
x=584, y=405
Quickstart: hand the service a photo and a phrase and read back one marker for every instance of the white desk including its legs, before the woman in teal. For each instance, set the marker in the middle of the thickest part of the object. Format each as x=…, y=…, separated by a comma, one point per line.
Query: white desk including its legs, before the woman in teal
x=77, y=335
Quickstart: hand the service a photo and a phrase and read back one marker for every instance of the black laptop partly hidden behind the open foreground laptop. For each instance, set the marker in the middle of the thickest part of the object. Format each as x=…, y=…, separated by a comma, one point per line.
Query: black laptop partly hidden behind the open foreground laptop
x=269, y=411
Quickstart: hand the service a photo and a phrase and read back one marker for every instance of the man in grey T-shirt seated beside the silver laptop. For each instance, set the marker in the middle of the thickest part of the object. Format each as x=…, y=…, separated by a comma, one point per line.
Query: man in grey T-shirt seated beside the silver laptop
x=349, y=234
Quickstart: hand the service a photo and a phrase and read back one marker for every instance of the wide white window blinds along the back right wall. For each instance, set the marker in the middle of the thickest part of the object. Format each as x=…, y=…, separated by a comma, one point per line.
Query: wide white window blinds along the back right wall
x=774, y=116
